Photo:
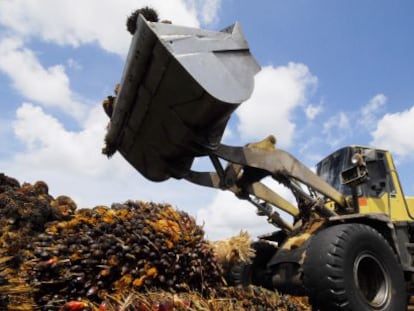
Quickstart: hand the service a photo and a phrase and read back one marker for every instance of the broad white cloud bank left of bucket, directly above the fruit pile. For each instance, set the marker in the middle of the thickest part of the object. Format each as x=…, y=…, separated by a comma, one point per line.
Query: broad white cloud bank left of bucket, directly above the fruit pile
x=71, y=163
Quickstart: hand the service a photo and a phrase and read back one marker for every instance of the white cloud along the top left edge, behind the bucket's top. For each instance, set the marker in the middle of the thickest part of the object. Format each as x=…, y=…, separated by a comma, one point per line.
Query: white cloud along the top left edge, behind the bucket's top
x=102, y=21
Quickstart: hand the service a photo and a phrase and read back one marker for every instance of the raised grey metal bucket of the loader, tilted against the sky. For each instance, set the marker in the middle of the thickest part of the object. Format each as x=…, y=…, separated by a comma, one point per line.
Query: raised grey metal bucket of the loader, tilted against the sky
x=178, y=90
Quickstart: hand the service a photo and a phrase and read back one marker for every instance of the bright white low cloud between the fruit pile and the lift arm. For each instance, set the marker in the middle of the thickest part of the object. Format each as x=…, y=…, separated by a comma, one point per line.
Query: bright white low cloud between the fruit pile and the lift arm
x=227, y=215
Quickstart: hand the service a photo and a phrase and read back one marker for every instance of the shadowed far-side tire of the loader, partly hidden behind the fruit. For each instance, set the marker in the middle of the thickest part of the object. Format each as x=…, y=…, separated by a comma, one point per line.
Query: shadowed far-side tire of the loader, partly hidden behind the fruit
x=254, y=273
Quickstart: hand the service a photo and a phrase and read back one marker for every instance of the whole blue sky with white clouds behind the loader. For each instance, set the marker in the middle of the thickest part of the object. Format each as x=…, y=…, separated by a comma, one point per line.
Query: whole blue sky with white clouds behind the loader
x=334, y=73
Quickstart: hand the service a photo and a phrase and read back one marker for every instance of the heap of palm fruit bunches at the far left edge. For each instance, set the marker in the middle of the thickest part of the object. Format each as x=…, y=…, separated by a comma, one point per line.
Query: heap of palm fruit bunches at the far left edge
x=25, y=210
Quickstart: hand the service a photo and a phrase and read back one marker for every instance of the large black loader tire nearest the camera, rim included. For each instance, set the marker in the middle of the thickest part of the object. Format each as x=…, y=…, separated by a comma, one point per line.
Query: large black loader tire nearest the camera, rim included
x=352, y=267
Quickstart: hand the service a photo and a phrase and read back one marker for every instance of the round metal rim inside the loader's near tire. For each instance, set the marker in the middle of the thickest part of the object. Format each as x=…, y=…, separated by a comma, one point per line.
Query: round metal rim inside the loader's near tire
x=372, y=280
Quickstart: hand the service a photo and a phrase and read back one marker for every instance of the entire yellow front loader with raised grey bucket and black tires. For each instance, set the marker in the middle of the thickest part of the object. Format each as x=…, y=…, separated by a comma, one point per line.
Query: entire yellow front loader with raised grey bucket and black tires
x=350, y=245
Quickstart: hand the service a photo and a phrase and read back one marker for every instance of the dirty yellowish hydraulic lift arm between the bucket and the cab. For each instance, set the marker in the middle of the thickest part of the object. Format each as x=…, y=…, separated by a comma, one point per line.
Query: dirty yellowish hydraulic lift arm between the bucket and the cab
x=248, y=165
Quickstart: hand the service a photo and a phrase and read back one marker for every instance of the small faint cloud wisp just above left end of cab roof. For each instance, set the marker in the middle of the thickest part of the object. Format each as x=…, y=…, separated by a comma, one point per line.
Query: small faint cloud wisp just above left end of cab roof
x=337, y=129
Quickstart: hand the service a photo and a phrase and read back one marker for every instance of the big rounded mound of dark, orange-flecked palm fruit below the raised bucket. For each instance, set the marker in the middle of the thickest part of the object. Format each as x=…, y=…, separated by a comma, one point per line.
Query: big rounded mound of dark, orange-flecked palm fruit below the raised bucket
x=133, y=246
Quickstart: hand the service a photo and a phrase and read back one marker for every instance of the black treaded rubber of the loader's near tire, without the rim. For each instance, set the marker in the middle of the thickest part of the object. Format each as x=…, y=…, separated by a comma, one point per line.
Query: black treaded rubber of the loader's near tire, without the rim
x=327, y=284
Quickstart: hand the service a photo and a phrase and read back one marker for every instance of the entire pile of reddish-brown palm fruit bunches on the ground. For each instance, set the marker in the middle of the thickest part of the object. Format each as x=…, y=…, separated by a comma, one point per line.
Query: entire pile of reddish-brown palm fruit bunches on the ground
x=131, y=256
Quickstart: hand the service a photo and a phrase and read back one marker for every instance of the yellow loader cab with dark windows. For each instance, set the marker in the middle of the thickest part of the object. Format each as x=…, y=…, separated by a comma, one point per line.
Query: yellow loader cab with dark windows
x=379, y=191
